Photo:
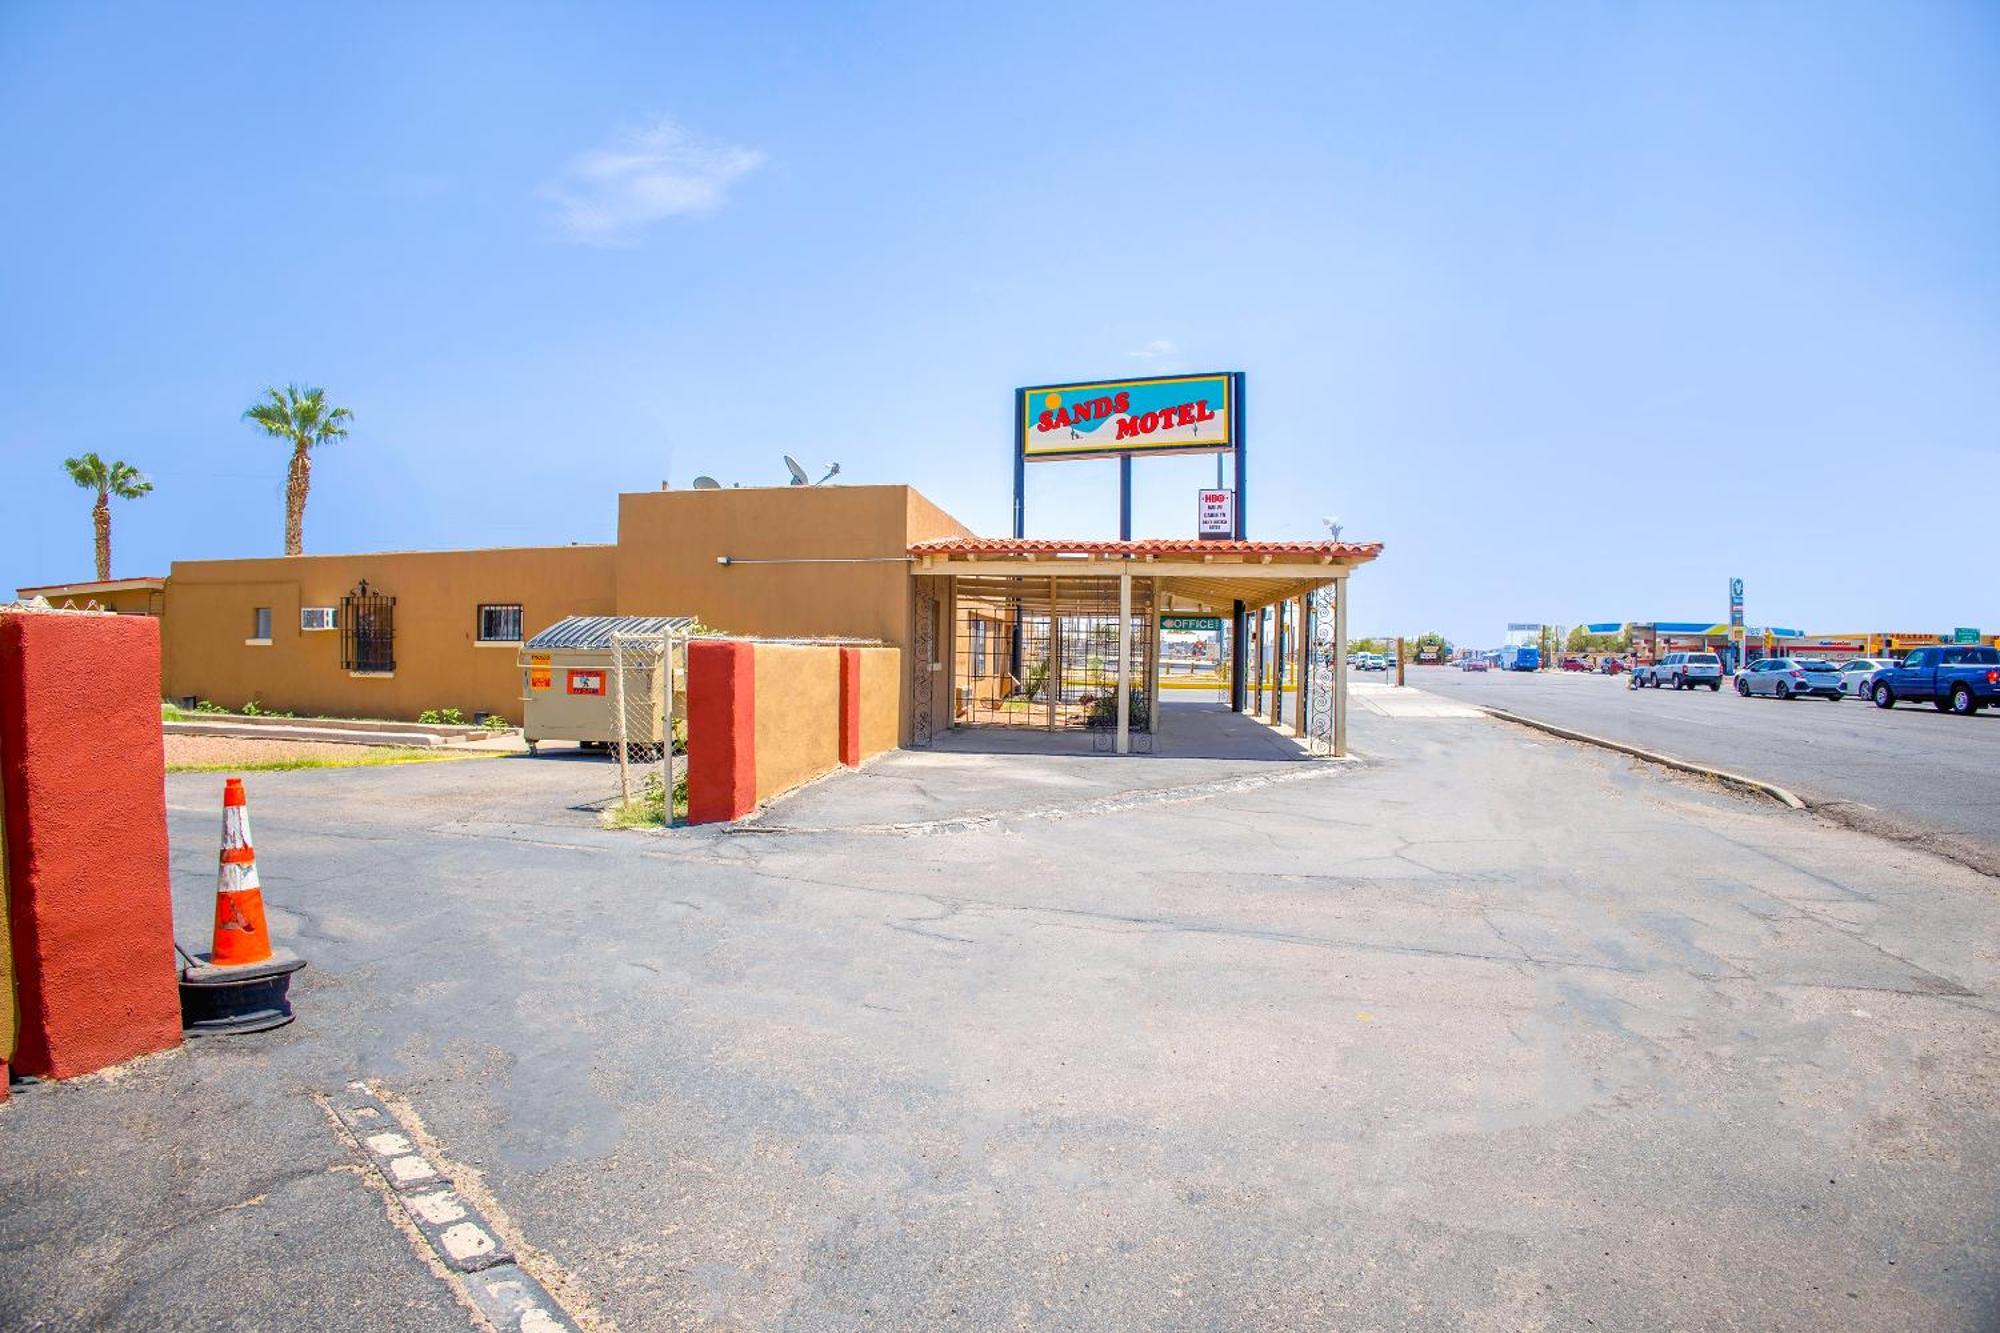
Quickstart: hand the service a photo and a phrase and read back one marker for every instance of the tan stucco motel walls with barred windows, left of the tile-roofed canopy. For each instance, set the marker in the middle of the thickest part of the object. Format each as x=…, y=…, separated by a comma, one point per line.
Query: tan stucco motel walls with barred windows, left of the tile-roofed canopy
x=785, y=561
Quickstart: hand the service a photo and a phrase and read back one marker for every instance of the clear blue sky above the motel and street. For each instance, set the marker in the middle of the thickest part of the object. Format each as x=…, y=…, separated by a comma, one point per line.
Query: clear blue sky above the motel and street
x=1581, y=309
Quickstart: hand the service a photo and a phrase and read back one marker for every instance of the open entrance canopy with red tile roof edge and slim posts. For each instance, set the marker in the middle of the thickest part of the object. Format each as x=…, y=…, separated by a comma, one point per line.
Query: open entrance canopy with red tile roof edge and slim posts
x=1055, y=635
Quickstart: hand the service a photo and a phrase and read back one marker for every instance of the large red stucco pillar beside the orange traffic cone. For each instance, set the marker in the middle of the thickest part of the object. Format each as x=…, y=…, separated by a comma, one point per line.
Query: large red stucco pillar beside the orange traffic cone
x=83, y=776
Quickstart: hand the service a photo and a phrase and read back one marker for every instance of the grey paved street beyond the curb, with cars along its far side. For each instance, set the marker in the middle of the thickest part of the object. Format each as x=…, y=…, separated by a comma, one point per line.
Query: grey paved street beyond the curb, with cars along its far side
x=1909, y=772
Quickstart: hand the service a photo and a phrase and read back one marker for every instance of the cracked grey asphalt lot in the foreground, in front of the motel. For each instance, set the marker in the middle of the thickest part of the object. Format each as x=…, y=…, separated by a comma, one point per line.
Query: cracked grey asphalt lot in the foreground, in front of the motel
x=1487, y=1032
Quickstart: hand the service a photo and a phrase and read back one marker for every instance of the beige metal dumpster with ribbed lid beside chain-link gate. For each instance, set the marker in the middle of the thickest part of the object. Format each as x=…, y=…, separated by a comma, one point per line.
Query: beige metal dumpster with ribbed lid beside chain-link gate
x=579, y=674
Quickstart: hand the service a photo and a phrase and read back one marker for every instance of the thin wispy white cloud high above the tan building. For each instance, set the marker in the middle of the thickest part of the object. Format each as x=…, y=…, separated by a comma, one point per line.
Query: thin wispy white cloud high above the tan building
x=611, y=195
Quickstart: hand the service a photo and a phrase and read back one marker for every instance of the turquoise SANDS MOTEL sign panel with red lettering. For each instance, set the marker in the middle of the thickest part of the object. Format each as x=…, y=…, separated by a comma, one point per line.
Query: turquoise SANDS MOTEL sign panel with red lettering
x=1105, y=419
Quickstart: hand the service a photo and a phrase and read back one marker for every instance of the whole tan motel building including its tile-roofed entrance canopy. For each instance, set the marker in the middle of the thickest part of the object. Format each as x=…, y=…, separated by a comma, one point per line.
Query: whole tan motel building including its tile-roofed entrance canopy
x=1053, y=641
